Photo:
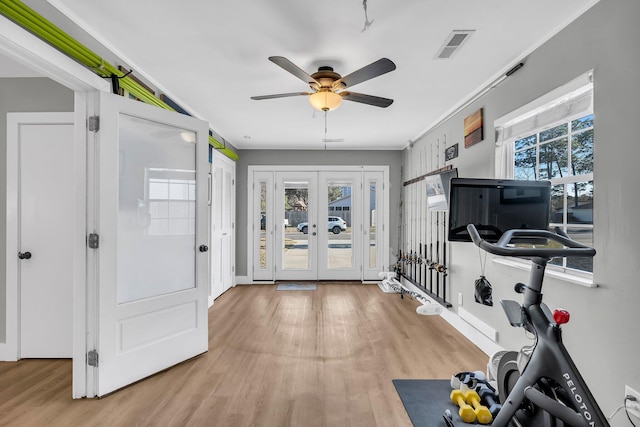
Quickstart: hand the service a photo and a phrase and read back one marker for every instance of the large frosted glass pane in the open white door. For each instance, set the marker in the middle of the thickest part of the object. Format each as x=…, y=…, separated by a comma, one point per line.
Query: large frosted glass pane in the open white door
x=156, y=209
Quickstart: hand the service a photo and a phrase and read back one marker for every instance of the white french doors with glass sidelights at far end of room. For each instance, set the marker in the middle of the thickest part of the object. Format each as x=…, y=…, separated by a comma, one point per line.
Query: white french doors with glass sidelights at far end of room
x=318, y=225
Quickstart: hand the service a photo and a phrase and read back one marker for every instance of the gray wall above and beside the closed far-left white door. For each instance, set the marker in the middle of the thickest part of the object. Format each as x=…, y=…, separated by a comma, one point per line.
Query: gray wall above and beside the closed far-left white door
x=22, y=95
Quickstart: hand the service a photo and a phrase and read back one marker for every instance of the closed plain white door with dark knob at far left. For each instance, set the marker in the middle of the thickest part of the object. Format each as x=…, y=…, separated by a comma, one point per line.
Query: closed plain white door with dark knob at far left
x=45, y=190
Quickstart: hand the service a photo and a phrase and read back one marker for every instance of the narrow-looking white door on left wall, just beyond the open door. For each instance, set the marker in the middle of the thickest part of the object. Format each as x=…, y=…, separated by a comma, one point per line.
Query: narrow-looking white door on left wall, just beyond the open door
x=222, y=225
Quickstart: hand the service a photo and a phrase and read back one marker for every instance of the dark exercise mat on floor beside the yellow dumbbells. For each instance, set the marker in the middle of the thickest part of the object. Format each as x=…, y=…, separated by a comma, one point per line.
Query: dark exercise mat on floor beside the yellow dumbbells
x=426, y=401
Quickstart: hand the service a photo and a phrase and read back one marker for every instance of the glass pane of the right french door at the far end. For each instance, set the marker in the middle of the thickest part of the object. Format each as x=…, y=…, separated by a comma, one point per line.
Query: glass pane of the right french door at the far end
x=339, y=243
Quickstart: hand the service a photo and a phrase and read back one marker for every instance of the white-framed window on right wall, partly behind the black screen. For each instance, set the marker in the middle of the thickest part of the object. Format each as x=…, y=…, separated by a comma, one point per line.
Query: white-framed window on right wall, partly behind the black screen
x=554, y=141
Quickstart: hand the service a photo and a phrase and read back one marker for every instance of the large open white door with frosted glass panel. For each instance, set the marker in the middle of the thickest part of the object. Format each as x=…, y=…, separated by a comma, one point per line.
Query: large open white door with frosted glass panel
x=151, y=262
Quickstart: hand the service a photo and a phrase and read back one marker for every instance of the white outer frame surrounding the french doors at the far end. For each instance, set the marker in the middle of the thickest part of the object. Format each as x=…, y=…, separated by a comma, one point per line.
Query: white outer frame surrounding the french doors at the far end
x=253, y=224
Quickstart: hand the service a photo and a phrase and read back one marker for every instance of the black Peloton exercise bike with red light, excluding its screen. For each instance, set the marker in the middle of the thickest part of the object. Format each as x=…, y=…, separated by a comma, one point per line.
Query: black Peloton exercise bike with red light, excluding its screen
x=540, y=385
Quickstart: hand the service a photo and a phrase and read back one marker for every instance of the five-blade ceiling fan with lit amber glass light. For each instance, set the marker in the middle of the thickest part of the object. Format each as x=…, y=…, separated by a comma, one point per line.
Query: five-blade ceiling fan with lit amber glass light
x=328, y=87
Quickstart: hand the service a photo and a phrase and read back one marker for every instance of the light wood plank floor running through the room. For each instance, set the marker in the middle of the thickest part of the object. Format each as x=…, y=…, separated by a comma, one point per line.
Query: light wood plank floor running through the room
x=276, y=358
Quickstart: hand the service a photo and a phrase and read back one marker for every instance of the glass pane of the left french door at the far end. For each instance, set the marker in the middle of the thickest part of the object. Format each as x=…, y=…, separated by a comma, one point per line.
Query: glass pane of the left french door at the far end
x=296, y=226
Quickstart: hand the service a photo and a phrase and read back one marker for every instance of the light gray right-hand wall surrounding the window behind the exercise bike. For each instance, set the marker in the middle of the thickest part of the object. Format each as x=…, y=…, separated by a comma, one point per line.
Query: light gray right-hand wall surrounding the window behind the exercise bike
x=602, y=335
